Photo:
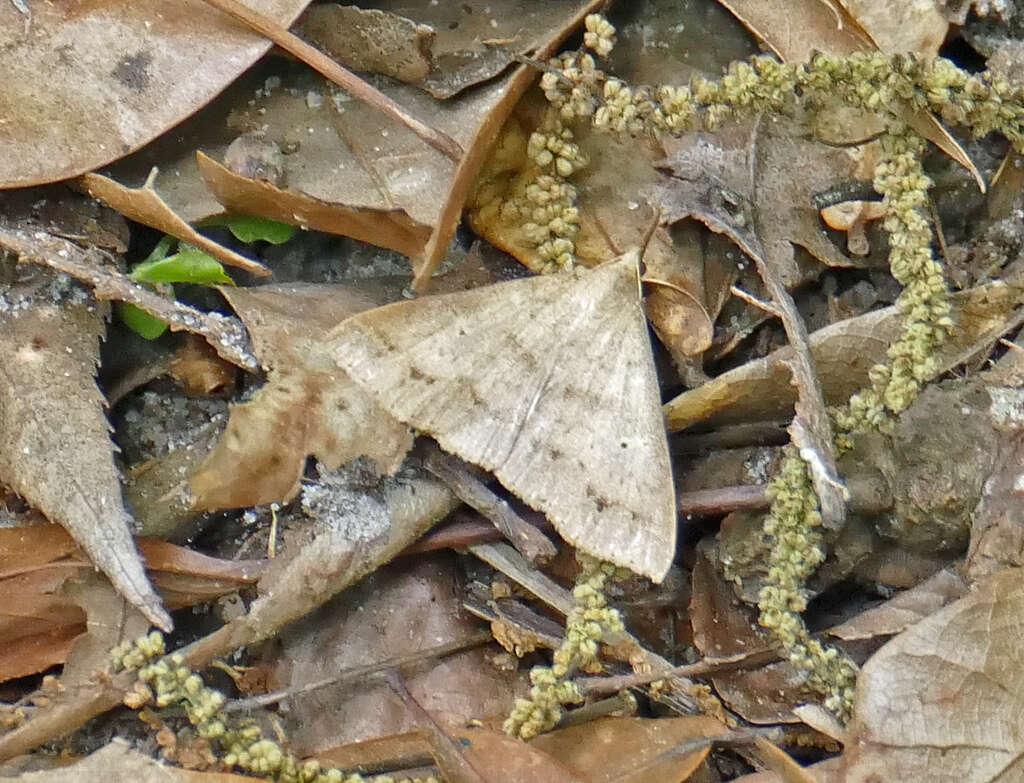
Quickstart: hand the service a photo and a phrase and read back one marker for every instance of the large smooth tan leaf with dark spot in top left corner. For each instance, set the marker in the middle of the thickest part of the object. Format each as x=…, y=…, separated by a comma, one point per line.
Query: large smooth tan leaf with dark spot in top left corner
x=87, y=84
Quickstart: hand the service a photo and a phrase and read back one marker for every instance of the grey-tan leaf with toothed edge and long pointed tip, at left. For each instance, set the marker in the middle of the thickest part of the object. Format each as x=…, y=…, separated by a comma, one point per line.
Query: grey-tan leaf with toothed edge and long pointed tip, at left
x=56, y=448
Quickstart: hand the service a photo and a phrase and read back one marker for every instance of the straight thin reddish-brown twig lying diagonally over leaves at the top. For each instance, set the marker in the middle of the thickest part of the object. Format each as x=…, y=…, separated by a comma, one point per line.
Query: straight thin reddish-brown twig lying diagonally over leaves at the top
x=340, y=76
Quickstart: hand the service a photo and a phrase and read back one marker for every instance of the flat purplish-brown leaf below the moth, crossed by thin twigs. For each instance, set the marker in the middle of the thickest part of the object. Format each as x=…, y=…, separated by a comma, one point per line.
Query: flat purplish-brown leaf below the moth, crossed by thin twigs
x=394, y=614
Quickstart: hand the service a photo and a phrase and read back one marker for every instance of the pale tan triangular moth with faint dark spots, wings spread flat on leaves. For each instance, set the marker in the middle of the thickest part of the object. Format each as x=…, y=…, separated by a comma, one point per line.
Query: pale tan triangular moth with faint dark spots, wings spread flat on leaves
x=548, y=383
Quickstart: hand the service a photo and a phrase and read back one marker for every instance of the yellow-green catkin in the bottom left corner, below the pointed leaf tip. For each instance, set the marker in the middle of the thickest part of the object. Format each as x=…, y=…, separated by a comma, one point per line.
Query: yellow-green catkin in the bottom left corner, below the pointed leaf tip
x=241, y=746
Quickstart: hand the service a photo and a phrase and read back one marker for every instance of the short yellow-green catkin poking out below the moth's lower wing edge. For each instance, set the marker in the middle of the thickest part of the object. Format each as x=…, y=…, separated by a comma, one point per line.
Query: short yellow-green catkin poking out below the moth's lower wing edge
x=589, y=621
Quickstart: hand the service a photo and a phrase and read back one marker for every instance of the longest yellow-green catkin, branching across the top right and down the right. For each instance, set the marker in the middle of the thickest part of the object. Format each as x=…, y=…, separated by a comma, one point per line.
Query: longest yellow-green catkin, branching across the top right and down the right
x=894, y=86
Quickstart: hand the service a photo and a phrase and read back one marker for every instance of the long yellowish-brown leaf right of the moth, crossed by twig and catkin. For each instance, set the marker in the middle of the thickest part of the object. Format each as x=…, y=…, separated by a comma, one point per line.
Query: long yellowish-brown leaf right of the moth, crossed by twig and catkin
x=843, y=353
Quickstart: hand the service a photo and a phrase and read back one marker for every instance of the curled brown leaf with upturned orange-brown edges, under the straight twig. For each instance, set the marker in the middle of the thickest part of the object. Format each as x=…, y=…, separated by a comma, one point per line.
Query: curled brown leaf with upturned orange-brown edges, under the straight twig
x=348, y=155
